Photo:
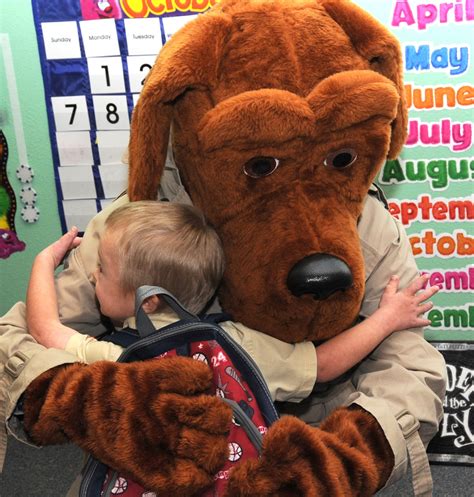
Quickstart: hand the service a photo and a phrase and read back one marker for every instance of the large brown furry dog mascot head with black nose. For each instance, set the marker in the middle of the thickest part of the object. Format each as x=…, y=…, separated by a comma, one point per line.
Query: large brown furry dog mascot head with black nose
x=281, y=115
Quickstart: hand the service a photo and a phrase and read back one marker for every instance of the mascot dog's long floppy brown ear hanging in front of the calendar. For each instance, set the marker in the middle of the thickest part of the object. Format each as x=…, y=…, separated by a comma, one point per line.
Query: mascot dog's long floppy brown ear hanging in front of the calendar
x=188, y=61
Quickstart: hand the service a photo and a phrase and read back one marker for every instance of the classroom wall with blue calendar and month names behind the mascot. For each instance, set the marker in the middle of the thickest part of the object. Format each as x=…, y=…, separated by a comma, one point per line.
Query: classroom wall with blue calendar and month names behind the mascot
x=429, y=187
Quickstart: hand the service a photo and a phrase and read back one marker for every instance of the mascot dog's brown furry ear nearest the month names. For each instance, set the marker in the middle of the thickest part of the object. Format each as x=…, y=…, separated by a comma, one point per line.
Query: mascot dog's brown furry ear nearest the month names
x=374, y=43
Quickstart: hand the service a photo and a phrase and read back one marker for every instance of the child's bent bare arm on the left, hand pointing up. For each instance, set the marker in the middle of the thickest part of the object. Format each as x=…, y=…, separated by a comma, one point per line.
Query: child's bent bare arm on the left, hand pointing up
x=41, y=301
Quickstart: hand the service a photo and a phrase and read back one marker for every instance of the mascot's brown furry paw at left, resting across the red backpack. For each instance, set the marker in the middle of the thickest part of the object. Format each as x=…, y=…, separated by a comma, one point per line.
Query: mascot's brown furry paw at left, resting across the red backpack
x=148, y=420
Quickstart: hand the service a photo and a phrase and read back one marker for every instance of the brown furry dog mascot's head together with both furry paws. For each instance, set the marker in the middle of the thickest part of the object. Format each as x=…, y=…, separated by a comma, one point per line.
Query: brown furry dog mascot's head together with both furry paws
x=281, y=116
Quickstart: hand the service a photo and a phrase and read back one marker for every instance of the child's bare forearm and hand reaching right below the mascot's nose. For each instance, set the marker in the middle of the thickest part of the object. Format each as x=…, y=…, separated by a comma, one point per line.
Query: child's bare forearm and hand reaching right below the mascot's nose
x=398, y=310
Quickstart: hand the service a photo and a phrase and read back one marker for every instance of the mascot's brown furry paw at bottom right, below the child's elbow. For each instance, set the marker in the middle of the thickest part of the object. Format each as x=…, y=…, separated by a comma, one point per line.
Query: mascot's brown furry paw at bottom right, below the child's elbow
x=347, y=455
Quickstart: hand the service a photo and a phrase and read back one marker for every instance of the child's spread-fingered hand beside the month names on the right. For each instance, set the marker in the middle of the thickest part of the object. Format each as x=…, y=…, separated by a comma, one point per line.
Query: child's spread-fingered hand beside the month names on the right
x=404, y=309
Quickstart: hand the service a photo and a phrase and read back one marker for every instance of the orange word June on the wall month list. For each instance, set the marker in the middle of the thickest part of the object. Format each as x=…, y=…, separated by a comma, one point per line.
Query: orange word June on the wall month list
x=440, y=97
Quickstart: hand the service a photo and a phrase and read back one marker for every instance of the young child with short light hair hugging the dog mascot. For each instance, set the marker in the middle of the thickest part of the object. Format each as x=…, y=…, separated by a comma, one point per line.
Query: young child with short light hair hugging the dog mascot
x=170, y=245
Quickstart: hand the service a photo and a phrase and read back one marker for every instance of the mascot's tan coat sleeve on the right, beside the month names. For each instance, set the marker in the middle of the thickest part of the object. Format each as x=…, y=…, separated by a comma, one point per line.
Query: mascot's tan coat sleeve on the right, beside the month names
x=405, y=375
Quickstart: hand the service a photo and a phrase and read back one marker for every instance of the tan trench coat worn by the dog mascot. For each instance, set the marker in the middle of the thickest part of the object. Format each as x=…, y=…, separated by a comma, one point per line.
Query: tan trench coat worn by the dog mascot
x=402, y=383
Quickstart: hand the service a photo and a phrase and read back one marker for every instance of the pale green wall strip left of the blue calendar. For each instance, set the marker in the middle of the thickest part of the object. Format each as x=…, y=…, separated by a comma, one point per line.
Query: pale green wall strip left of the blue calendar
x=24, y=123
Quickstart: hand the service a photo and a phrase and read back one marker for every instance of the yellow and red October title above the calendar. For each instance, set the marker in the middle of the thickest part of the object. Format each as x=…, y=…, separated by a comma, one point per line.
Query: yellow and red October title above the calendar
x=143, y=8
